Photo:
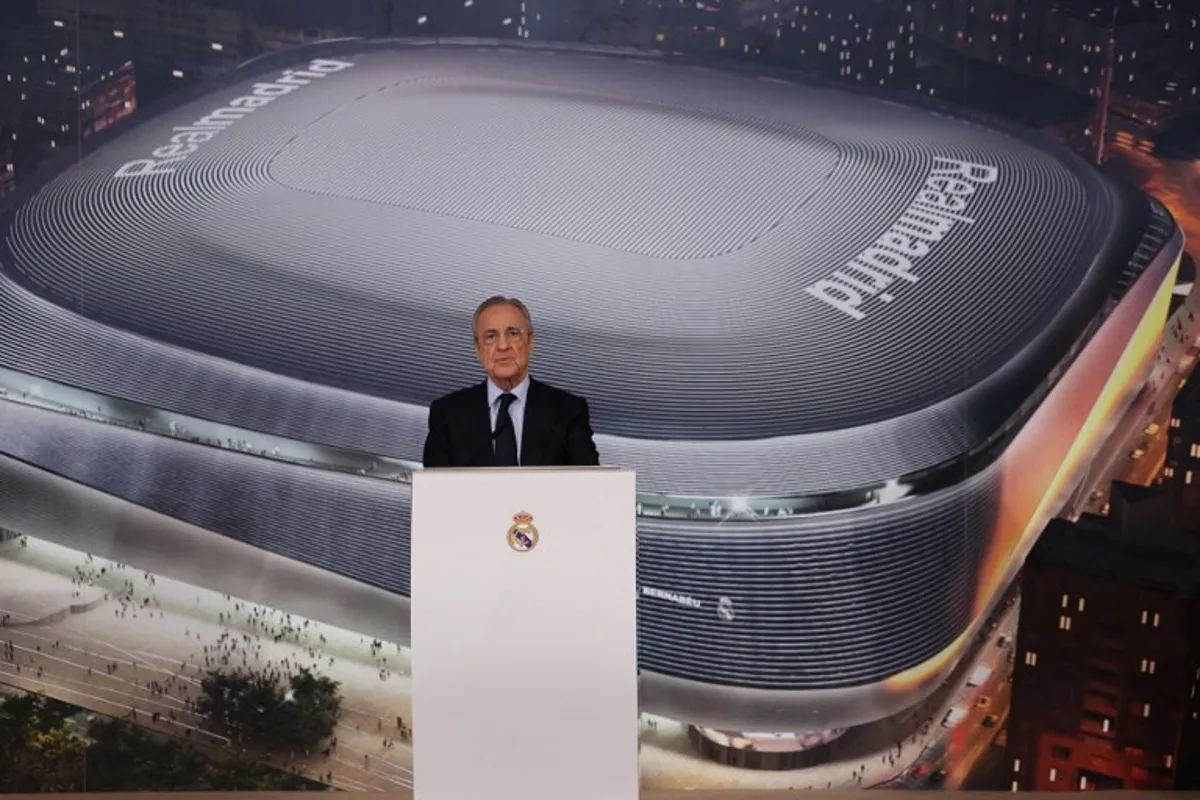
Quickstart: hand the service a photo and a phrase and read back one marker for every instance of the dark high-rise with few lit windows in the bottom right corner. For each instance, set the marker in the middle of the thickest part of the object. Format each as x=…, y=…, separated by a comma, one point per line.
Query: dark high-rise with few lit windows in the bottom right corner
x=1108, y=653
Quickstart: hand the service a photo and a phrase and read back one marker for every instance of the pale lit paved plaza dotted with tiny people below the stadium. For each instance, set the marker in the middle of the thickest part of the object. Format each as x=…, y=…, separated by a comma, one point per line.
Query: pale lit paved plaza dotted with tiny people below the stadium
x=129, y=645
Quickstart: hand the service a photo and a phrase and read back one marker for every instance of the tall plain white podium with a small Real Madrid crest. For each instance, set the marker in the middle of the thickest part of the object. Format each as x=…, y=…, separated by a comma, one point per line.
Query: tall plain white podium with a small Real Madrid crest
x=525, y=635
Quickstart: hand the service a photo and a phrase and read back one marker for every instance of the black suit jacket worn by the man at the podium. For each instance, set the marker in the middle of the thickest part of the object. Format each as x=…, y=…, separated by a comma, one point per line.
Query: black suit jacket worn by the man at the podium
x=556, y=431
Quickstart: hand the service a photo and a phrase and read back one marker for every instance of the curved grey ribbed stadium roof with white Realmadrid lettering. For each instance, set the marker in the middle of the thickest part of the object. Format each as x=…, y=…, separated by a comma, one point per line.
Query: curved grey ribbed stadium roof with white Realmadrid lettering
x=689, y=240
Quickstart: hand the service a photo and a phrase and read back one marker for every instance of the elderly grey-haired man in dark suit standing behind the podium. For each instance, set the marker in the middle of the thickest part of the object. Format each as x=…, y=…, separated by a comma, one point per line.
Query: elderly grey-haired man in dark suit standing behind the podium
x=511, y=419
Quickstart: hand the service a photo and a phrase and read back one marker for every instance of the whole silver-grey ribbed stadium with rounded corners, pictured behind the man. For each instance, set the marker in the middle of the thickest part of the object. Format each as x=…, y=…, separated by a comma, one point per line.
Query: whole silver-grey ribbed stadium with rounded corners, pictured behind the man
x=859, y=352
